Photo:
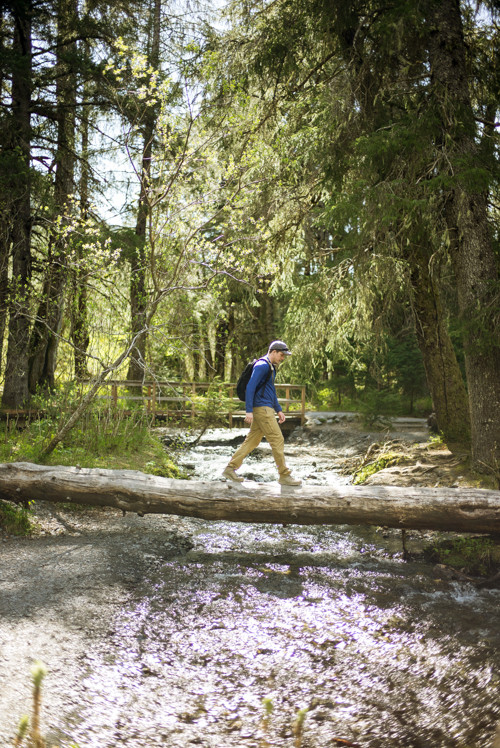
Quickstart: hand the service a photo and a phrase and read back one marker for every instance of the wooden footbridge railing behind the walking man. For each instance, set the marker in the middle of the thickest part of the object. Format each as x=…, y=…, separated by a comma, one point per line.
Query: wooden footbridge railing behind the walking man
x=180, y=399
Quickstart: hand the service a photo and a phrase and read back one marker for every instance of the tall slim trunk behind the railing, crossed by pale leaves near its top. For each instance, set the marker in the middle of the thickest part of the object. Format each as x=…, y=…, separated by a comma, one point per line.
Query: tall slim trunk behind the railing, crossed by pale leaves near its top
x=138, y=265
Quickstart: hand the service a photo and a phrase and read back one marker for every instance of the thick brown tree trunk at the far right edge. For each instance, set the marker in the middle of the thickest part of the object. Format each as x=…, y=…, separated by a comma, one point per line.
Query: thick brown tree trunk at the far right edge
x=476, y=267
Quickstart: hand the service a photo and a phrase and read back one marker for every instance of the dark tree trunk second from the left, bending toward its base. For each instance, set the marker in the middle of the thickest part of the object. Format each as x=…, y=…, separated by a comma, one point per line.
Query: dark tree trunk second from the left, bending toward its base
x=45, y=334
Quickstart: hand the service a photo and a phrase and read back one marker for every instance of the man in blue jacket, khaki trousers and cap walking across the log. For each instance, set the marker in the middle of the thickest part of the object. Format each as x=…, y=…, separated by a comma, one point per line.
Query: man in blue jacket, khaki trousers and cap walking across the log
x=261, y=404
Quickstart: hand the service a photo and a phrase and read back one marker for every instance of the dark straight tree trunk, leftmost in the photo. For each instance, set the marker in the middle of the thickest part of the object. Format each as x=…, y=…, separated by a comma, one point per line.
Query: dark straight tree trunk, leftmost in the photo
x=15, y=392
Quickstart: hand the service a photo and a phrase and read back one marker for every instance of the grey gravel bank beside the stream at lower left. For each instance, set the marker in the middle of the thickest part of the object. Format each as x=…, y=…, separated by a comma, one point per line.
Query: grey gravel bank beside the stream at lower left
x=60, y=594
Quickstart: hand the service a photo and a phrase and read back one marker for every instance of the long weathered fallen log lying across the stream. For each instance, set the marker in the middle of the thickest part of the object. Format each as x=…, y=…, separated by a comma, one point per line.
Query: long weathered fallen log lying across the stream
x=452, y=509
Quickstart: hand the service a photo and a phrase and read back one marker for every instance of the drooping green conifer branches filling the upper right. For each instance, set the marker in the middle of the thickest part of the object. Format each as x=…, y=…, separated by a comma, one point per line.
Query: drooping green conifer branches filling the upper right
x=362, y=160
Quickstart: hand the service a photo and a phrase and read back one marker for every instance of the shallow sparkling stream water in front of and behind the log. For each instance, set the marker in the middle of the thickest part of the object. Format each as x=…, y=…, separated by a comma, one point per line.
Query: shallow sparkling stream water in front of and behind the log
x=220, y=616
